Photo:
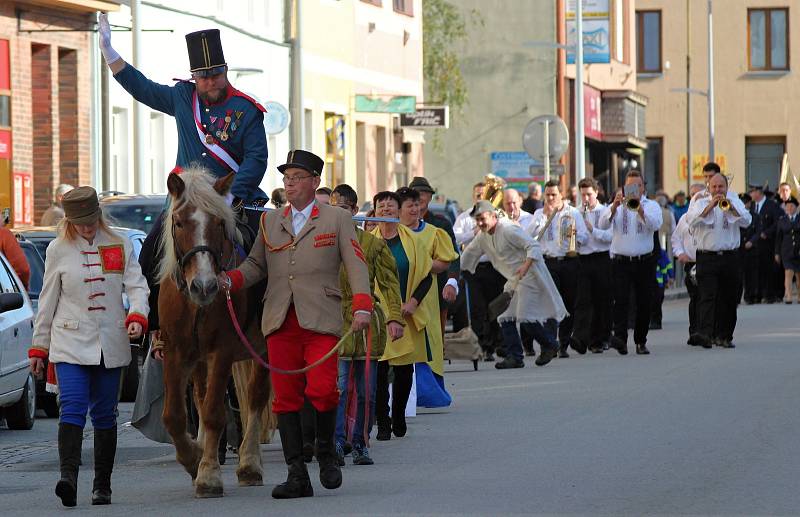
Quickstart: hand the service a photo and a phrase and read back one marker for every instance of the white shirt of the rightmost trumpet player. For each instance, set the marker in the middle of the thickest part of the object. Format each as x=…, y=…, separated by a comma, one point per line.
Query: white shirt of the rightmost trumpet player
x=719, y=230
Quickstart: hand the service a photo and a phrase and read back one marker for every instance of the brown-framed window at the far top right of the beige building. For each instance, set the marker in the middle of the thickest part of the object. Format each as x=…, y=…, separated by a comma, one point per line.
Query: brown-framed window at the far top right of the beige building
x=768, y=39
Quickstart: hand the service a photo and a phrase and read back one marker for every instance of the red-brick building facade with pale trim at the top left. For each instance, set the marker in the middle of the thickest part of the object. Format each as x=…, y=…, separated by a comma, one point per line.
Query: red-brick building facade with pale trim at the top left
x=46, y=134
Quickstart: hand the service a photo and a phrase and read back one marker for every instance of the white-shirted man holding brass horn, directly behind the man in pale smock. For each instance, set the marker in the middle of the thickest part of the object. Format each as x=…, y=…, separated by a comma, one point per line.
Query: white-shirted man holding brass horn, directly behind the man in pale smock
x=563, y=265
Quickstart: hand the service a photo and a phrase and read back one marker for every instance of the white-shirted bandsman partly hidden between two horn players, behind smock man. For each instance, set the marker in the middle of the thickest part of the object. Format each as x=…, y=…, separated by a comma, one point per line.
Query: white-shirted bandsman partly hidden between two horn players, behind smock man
x=593, y=309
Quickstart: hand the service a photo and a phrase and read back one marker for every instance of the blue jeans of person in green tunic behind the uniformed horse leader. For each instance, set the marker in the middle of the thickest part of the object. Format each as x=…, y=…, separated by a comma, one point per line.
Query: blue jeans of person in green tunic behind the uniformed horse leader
x=358, y=376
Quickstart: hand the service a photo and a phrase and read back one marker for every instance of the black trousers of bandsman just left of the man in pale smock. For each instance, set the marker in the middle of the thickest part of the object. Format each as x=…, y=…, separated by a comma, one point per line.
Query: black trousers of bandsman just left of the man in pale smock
x=485, y=285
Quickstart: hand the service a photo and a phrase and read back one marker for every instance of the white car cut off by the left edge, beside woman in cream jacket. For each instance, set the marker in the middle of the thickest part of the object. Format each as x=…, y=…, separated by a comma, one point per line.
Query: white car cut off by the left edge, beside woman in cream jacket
x=17, y=383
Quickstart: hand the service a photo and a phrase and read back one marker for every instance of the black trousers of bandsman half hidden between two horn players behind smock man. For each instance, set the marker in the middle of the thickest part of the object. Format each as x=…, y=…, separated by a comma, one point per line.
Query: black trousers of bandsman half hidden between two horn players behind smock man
x=592, y=321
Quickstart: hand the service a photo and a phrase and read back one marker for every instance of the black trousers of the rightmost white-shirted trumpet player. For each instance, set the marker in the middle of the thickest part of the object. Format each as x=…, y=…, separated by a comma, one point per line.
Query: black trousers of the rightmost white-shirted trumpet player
x=717, y=287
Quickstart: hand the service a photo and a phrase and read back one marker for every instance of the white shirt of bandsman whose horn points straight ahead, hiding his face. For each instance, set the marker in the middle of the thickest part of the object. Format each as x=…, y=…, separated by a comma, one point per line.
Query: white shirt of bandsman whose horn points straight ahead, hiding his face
x=633, y=236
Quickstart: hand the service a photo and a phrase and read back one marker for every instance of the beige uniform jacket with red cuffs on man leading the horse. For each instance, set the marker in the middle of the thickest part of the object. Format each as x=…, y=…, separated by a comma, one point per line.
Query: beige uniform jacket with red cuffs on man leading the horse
x=304, y=269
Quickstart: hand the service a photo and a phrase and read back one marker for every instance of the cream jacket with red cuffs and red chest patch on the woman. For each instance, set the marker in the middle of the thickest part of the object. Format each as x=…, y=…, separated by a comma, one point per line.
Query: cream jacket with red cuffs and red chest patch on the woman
x=81, y=313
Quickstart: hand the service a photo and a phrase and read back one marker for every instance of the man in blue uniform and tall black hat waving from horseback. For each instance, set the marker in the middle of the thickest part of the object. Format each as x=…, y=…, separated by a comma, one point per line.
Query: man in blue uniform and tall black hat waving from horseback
x=219, y=128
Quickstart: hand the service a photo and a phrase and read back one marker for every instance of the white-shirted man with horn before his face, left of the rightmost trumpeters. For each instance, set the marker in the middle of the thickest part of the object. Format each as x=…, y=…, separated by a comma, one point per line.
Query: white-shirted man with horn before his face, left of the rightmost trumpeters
x=632, y=262
